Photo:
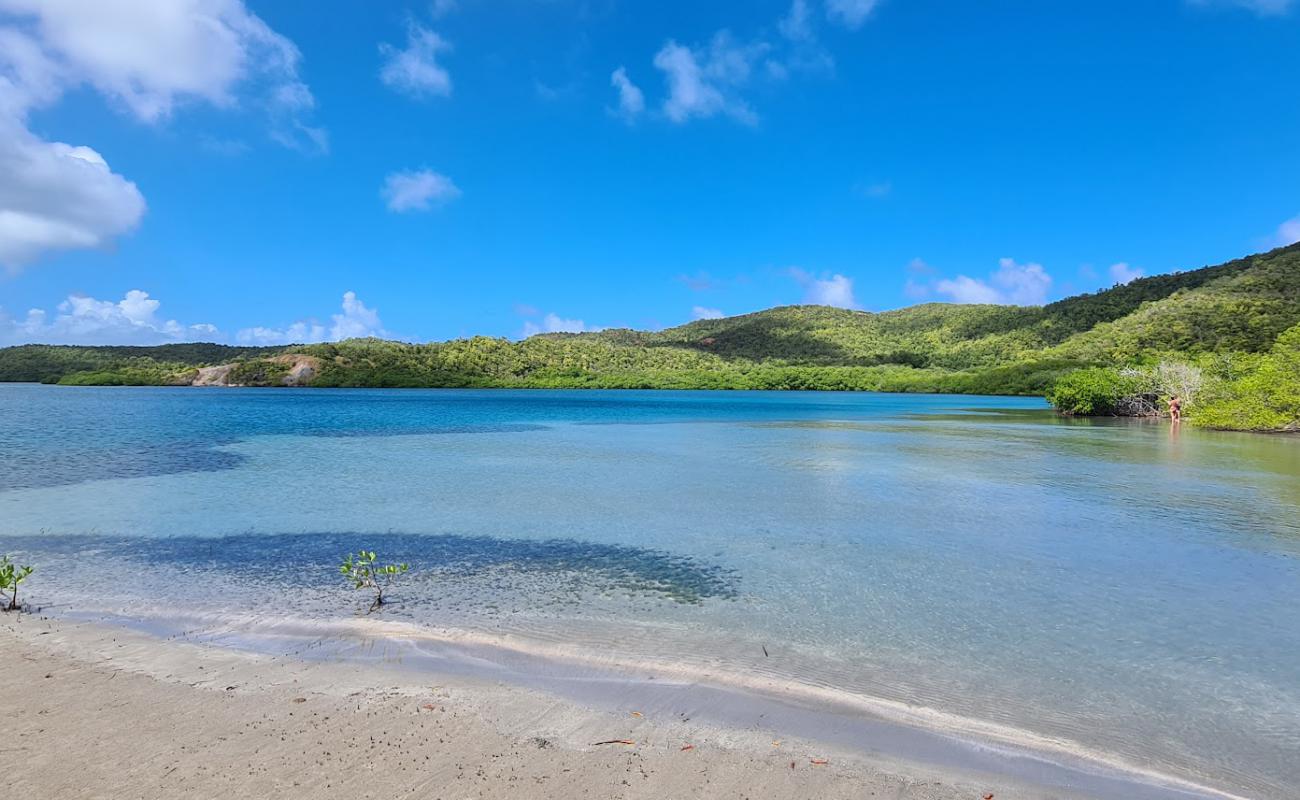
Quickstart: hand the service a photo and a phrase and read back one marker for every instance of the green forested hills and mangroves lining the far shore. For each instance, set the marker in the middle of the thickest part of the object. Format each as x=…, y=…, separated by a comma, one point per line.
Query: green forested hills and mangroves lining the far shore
x=1224, y=321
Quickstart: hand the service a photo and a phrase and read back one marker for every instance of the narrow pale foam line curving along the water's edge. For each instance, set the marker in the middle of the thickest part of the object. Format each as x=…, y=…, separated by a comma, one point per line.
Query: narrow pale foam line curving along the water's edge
x=976, y=733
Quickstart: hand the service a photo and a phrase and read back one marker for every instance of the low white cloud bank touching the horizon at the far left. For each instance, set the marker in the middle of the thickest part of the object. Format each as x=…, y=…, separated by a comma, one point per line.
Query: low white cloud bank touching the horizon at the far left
x=85, y=321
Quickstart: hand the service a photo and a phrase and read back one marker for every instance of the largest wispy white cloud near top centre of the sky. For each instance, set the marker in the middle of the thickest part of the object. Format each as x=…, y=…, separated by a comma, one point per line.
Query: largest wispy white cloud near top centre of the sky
x=703, y=83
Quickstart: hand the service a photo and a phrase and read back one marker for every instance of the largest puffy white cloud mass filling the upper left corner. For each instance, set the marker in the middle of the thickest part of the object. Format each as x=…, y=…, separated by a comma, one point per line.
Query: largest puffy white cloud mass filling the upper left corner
x=146, y=57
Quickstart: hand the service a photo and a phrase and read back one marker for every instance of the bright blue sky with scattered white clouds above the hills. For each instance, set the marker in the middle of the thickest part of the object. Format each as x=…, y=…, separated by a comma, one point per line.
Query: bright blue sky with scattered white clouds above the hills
x=248, y=171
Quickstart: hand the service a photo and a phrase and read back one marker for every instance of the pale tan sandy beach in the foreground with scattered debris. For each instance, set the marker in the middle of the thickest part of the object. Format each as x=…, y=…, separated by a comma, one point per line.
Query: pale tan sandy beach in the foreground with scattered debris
x=98, y=712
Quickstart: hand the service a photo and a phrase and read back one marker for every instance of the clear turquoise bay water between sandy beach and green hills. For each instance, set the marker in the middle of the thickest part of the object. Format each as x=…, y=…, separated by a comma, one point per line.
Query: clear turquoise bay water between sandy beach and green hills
x=1123, y=591
